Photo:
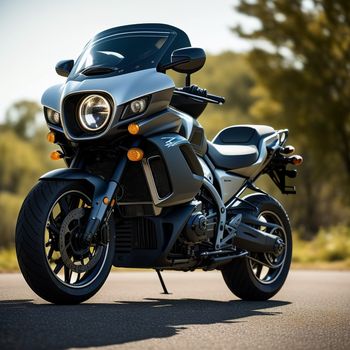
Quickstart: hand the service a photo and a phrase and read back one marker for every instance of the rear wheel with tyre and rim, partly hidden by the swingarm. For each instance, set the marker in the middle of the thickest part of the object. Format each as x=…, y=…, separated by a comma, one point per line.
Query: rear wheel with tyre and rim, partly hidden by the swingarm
x=262, y=275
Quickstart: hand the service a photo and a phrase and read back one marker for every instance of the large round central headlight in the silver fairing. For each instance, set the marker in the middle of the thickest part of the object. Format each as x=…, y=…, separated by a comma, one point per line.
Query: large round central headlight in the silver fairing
x=94, y=112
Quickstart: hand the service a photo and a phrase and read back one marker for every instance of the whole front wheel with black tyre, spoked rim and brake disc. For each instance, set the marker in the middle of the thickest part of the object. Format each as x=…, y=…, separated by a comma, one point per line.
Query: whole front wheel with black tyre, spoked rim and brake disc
x=51, y=257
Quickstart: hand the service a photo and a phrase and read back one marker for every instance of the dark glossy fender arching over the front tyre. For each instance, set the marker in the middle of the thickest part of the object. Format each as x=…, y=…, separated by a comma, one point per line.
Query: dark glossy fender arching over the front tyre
x=67, y=174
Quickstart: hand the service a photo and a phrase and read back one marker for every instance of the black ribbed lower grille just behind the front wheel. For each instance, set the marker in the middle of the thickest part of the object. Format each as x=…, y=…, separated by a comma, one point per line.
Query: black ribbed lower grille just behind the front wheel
x=137, y=233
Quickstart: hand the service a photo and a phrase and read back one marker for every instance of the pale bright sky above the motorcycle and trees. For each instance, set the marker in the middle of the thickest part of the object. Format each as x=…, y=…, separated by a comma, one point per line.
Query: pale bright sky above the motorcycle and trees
x=36, y=34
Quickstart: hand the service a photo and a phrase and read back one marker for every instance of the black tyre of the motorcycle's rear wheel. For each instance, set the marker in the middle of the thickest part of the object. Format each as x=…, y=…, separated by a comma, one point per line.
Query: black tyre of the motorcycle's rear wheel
x=240, y=275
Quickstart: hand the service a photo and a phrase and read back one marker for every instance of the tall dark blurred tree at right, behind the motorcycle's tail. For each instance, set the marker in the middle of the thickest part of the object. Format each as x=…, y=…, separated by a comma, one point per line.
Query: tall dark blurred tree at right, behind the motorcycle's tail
x=301, y=57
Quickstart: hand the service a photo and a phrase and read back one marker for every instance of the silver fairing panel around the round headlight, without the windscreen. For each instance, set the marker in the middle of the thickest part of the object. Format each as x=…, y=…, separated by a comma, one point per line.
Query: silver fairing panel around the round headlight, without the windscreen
x=120, y=89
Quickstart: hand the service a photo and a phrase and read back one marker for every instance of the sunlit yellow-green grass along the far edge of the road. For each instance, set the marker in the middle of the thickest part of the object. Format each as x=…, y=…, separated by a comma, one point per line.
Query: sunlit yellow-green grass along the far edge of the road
x=329, y=250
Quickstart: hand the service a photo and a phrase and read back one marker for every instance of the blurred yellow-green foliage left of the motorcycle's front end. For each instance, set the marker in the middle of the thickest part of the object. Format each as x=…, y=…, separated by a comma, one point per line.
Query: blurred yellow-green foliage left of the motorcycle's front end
x=24, y=157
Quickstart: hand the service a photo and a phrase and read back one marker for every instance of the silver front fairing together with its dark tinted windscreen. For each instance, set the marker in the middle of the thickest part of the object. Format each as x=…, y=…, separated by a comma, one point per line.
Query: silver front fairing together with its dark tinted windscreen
x=134, y=73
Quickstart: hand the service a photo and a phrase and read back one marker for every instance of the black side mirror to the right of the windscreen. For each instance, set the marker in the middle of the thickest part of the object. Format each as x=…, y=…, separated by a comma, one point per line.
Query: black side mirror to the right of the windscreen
x=187, y=60
